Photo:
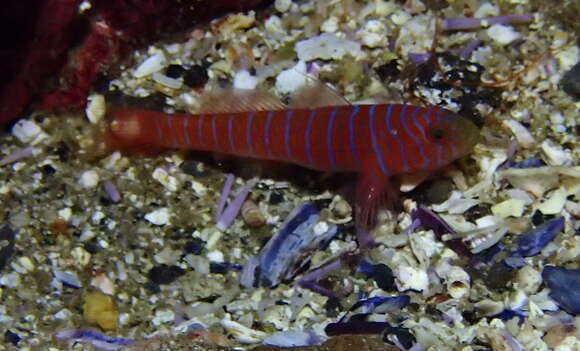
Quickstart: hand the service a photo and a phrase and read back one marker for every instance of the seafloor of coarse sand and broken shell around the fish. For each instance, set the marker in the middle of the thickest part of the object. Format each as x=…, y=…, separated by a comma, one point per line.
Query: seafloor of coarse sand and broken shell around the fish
x=157, y=252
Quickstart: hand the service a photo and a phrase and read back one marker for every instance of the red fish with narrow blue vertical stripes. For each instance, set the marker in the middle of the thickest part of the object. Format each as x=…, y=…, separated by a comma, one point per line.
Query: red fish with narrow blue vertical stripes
x=374, y=141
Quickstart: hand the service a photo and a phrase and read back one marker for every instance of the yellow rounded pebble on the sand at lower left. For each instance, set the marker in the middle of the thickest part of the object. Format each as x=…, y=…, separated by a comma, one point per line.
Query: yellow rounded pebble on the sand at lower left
x=99, y=309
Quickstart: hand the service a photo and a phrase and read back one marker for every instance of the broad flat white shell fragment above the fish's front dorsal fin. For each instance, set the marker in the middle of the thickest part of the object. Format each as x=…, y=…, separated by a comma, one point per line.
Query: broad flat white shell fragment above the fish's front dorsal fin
x=327, y=46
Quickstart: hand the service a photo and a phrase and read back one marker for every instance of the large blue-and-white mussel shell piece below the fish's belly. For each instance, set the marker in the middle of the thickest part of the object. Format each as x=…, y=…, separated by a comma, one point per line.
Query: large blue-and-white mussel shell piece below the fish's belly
x=289, y=250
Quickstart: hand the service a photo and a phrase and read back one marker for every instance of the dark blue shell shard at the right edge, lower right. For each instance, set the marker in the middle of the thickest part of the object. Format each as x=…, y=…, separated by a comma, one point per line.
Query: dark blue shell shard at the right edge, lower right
x=564, y=287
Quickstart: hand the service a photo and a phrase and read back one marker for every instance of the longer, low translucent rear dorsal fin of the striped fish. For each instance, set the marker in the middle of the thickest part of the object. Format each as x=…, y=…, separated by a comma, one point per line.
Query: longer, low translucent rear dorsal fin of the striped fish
x=239, y=100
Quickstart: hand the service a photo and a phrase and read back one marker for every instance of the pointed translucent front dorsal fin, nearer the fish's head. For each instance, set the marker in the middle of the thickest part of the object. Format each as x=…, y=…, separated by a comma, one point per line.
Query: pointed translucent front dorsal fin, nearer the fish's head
x=317, y=94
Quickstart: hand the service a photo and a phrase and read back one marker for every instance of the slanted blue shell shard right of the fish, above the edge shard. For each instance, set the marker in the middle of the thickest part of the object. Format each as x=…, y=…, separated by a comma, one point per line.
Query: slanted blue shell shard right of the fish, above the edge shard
x=532, y=242
